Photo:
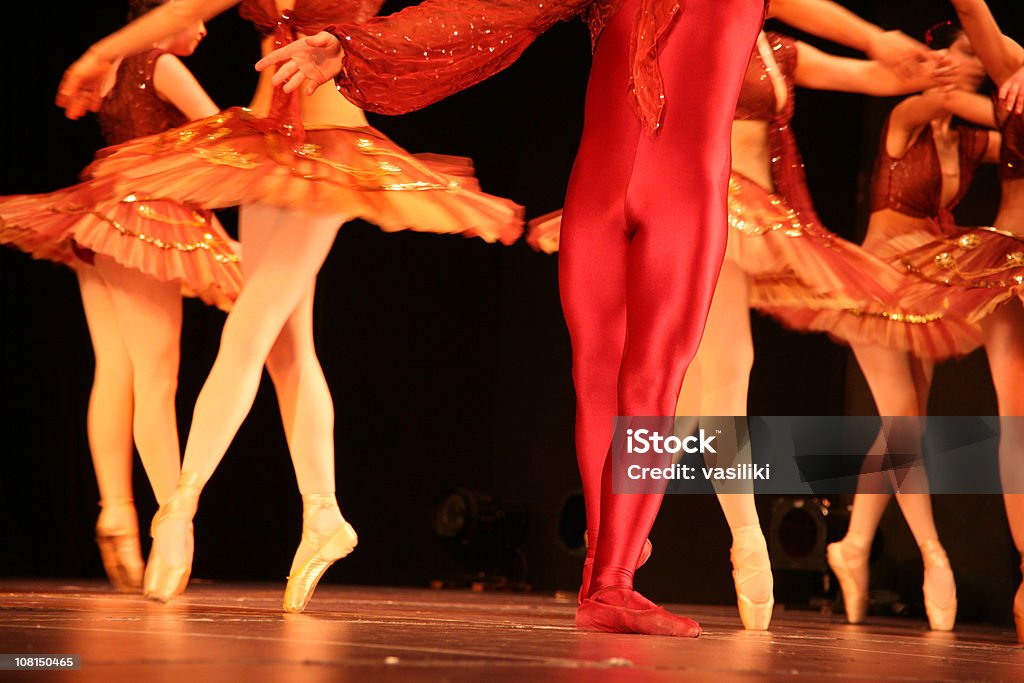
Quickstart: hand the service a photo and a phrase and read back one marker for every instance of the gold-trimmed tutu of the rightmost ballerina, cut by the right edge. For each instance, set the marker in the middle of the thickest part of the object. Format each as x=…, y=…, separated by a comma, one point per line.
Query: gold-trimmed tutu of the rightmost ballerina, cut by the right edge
x=969, y=275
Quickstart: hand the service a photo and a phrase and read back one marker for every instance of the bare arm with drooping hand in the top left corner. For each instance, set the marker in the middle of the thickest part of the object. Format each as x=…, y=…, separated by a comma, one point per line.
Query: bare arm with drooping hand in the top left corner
x=80, y=90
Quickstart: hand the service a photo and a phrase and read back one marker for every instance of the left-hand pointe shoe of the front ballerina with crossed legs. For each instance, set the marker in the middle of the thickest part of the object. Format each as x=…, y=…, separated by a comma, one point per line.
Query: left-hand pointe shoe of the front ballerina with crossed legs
x=166, y=579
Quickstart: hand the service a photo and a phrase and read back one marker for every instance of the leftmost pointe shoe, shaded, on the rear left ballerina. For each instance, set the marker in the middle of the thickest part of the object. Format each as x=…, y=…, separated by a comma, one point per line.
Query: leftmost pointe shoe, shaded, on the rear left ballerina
x=117, y=537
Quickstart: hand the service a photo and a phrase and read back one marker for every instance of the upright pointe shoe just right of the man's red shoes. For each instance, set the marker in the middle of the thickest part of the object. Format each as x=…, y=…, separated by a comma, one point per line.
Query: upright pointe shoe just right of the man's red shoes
x=753, y=578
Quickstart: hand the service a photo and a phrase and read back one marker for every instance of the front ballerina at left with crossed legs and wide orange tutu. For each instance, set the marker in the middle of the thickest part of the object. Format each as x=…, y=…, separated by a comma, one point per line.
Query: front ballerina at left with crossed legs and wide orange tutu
x=302, y=165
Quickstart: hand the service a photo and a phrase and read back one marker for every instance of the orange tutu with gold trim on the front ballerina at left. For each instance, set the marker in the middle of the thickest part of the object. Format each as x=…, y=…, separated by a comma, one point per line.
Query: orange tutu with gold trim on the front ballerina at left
x=238, y=158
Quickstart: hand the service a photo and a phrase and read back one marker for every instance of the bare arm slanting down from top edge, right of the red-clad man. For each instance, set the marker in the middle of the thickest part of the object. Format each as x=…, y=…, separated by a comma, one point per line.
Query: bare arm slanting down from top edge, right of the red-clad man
x=833, y=22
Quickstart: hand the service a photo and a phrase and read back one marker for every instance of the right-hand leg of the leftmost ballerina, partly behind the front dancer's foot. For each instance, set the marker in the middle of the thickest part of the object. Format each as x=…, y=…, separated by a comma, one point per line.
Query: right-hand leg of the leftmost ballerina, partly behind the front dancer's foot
x=149, y=316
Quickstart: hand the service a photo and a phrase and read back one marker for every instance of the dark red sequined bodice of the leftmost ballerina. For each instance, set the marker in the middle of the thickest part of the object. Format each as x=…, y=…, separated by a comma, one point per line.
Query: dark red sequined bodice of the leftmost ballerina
x=133, y=108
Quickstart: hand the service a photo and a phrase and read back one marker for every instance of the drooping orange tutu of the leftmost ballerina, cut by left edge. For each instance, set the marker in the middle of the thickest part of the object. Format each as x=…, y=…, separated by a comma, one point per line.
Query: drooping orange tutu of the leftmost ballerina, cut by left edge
x=162, y=239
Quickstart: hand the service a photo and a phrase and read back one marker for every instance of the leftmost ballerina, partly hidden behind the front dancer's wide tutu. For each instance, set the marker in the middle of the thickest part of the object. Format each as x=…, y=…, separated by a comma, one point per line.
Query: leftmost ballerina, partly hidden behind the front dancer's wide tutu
x=134, y=259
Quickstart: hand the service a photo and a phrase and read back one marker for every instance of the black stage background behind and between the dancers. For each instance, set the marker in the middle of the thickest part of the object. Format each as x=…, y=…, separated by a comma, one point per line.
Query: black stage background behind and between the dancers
x=449, y=359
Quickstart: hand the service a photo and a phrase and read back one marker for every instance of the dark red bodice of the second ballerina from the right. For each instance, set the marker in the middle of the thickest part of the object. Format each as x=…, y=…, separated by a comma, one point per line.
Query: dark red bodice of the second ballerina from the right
x=913, y=184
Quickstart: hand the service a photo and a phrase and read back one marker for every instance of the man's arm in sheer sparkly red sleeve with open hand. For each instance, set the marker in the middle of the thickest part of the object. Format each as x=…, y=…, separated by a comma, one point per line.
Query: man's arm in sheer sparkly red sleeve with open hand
x=420, y=56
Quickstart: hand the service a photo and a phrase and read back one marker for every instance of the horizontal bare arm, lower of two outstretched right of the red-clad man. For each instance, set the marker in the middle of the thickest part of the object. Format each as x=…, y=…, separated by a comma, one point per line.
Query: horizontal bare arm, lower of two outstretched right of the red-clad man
x=827, y=72
